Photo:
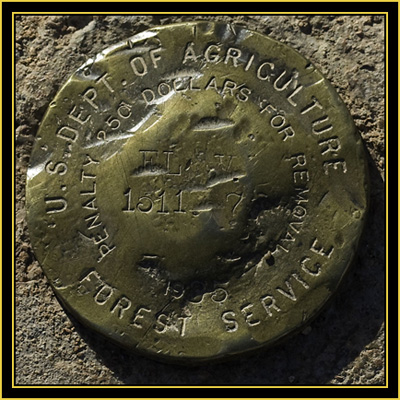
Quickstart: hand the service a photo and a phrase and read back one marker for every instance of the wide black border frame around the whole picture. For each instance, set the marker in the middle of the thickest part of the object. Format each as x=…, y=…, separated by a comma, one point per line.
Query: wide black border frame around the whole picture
x=391, y=8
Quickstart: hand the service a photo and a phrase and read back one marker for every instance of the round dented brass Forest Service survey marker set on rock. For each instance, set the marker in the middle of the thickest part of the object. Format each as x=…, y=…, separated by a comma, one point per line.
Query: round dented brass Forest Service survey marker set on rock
x=196, y=191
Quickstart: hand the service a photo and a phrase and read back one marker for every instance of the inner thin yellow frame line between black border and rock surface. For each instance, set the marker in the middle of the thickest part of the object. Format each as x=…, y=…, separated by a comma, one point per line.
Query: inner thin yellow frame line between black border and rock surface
x=191, y=13
